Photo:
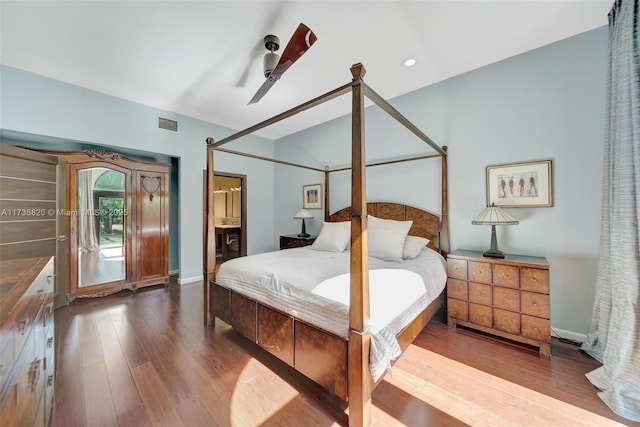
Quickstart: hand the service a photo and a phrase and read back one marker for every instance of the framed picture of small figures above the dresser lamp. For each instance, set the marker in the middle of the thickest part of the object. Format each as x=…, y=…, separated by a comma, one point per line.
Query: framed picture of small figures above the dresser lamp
x=520, y=185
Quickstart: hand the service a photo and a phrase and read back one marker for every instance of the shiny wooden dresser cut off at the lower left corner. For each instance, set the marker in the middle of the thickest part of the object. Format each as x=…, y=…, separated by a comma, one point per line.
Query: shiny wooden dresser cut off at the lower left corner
x=27, y=343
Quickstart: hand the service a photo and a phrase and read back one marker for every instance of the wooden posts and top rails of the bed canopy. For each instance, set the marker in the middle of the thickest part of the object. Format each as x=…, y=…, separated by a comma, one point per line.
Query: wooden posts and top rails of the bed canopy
x=360, y=384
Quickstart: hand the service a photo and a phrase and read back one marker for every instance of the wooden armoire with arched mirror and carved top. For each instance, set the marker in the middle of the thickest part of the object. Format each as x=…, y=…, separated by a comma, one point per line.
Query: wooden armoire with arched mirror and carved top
x=117, y=216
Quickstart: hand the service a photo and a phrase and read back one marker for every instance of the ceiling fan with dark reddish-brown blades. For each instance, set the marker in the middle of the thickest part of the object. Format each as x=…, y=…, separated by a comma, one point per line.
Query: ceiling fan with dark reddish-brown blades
x=274, y=65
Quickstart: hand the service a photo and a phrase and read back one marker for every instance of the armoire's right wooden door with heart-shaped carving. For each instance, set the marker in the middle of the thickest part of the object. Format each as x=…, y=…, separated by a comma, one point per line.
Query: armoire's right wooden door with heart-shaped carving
x=152, y=234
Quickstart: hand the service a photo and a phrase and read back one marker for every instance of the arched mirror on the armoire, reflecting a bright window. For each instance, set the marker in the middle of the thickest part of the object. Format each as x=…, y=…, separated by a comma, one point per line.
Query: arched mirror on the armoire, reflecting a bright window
x=101, y=201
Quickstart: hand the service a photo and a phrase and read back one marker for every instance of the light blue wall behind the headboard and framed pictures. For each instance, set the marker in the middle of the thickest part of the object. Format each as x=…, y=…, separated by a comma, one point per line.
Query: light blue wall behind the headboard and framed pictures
x=544, y=104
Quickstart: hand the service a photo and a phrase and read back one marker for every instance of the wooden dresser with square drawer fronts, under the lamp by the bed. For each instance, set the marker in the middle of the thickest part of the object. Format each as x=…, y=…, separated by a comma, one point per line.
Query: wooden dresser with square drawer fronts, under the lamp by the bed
x=505, y=297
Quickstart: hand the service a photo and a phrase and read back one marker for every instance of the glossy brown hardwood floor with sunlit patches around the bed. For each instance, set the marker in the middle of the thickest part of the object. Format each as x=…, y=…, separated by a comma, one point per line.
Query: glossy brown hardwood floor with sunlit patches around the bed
x=146, y=359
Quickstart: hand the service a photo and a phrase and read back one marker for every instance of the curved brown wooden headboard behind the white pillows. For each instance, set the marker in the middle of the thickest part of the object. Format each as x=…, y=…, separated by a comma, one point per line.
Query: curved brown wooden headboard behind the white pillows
x=425, y=224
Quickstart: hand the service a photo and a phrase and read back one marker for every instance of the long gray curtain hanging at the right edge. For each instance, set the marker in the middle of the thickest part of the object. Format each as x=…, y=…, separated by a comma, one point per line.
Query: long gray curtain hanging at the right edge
x=614, y=335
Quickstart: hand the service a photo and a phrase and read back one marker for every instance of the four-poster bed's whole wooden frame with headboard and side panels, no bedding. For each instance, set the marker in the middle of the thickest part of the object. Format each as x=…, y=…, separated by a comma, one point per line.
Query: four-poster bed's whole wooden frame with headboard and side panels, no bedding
x=340, y=364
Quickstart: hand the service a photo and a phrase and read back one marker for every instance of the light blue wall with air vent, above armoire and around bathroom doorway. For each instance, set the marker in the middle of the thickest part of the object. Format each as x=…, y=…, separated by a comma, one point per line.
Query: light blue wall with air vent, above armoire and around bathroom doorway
x=33, y=104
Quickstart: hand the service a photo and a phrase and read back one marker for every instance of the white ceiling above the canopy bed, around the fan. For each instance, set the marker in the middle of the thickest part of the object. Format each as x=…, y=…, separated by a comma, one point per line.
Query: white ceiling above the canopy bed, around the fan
x=204, y=59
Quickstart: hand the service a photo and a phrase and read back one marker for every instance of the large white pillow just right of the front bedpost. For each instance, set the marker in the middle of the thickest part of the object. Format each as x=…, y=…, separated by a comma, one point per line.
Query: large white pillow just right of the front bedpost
x=386, y=238
